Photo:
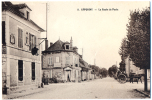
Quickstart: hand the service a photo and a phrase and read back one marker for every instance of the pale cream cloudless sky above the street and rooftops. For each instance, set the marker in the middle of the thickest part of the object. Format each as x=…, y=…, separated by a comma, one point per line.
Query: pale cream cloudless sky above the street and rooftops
x=98, y=32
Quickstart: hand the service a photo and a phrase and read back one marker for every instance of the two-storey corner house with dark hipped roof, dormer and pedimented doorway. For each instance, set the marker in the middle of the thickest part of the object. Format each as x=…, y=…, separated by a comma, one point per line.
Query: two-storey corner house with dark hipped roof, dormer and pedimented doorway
x=61, y=61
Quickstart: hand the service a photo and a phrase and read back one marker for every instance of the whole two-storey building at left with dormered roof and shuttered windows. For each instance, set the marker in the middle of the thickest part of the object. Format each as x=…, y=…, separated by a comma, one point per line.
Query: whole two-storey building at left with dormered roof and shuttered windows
x=20, y=69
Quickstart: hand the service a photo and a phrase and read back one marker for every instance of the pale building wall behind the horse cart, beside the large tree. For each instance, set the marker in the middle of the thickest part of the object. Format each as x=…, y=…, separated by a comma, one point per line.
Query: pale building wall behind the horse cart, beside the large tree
x=131, y=68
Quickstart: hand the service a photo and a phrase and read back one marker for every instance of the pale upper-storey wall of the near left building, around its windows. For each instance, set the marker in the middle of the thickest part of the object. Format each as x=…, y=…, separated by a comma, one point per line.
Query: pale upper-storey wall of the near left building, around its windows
x=22, y=52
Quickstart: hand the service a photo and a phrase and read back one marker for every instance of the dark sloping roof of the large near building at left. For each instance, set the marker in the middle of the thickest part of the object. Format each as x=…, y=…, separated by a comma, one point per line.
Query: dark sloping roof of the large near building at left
x=8, y=6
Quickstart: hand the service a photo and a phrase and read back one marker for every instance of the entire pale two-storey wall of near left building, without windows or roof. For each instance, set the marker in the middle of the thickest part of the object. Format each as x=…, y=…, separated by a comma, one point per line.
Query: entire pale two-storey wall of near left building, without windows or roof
x=14, y=53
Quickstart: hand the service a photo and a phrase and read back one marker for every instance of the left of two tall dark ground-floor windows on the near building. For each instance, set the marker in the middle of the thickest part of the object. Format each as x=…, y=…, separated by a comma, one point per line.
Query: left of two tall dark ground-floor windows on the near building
x=20, y=70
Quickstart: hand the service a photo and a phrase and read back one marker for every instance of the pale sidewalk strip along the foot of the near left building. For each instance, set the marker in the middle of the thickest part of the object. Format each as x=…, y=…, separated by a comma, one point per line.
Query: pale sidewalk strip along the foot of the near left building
x=26, y=92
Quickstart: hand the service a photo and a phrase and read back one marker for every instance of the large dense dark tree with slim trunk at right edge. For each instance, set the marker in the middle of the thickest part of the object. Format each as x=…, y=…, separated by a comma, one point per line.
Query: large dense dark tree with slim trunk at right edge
x=138, y=36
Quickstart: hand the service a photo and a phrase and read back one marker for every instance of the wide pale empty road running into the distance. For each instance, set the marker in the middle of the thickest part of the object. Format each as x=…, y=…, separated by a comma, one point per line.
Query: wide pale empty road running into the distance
x=106, y=88
